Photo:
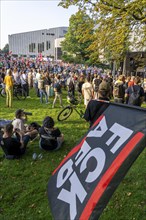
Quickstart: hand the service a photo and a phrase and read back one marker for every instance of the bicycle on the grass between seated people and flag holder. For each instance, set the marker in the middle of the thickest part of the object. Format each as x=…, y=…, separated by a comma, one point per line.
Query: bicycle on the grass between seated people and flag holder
x=68, y=110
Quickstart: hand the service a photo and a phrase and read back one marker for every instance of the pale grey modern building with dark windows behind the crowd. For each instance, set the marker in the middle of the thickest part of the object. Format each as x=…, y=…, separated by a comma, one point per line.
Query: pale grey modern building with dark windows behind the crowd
x=31, y=44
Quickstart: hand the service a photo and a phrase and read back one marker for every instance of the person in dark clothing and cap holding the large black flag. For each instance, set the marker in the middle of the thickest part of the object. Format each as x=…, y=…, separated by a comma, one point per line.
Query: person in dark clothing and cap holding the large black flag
x=97, y=106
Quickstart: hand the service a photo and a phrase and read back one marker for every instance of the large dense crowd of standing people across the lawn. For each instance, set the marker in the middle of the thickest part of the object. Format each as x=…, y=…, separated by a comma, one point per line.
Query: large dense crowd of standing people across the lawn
x=49, y=78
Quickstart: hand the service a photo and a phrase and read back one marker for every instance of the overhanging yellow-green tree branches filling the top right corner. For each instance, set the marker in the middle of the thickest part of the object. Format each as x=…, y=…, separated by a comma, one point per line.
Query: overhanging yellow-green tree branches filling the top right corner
x=119, y=25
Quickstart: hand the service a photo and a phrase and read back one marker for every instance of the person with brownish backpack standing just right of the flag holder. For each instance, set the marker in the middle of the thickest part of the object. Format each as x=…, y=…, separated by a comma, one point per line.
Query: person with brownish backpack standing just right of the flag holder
x=119, y=89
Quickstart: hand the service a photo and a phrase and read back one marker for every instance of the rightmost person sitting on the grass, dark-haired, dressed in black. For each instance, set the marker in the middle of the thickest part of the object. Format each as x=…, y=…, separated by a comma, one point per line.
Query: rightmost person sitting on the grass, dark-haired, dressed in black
x=51, y=137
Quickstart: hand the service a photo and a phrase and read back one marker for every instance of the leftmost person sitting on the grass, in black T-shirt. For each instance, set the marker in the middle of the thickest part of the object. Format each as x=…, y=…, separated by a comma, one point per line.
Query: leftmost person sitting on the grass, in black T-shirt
x=13, y=142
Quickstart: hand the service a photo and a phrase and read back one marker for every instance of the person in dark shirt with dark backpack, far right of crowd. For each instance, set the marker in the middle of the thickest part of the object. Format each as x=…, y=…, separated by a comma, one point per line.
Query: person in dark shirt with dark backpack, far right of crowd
x=134, y=95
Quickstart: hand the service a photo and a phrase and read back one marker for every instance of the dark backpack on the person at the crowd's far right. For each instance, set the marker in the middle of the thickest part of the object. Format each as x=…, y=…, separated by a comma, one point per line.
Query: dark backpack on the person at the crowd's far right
x=134, y=97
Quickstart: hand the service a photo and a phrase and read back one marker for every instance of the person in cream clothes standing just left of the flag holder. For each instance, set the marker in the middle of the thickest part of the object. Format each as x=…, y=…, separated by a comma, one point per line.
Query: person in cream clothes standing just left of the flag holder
x=87, y=91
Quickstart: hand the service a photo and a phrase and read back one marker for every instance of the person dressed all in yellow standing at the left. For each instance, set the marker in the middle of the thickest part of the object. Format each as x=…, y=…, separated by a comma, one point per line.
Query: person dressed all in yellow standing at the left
x=8, y=81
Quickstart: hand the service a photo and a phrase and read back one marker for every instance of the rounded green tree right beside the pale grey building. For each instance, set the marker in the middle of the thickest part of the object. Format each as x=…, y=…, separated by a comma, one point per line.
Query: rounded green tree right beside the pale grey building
x=78, y=38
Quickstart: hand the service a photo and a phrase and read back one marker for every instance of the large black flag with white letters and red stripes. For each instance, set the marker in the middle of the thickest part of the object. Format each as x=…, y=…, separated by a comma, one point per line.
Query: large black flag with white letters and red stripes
x=85, y=180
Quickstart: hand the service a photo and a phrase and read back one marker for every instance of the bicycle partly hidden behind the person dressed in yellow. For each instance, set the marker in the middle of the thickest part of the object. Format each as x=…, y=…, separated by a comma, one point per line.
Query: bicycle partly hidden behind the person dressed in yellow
x=18, y=92
